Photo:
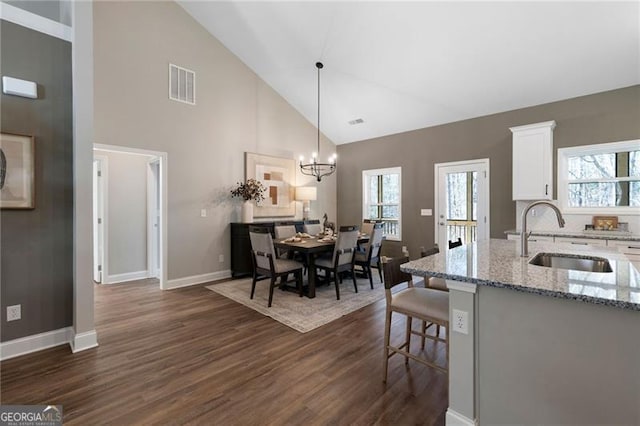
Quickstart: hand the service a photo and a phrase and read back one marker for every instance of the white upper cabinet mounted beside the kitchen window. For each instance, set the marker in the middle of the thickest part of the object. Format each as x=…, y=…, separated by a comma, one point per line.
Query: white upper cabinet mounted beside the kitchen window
x=533, y=161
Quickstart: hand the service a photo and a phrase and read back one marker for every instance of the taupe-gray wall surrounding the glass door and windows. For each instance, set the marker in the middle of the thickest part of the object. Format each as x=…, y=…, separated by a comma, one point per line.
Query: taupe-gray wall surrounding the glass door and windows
x=604, y=117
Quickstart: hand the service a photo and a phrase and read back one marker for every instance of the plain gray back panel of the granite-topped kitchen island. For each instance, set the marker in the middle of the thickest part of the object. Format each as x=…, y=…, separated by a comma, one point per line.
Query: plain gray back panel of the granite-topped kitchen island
x=552, y=361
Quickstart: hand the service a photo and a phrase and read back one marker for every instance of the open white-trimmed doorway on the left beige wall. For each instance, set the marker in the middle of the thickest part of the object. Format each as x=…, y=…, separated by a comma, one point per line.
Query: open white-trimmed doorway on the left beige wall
x=149, y=188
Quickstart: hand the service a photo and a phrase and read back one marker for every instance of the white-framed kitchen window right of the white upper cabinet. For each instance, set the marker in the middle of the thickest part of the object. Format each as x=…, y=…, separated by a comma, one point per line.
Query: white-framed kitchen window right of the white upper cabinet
x=600, y=178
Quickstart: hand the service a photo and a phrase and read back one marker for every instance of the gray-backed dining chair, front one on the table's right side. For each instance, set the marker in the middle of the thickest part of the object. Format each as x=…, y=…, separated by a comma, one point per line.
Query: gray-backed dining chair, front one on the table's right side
x=343, y=257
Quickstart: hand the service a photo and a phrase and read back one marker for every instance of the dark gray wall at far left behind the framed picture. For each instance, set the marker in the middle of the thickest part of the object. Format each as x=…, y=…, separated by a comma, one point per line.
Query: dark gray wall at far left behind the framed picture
x=37, y=244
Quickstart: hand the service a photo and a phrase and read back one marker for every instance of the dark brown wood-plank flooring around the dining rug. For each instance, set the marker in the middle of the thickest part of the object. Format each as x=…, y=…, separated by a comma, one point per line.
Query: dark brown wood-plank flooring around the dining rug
x=192, y=356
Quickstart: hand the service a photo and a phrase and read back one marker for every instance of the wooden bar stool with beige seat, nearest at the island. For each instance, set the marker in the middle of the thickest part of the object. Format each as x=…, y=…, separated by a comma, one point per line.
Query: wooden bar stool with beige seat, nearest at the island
x=414, y=302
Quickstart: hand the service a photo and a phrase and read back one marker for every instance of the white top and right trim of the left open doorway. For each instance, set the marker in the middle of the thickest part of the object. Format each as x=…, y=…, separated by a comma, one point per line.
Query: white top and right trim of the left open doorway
x=163, y=163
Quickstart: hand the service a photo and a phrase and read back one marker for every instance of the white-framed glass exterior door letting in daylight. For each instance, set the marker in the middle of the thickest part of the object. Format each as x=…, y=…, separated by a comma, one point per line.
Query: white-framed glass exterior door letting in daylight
x=462, y=202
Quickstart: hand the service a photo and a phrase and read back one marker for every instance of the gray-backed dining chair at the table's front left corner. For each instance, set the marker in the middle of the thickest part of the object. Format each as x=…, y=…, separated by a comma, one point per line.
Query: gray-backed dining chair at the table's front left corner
x=267, y=265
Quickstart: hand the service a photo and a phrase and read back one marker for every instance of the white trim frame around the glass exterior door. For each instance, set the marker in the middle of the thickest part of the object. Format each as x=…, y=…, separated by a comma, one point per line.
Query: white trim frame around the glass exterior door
x=483, y=210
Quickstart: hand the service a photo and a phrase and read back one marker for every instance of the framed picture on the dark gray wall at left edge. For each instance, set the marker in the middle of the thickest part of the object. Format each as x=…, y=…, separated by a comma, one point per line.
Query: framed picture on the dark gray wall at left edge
x=16, y=171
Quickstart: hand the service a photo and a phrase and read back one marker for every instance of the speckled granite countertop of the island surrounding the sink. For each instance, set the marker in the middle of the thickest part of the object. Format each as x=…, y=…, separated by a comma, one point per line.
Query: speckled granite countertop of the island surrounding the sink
x=497, y=263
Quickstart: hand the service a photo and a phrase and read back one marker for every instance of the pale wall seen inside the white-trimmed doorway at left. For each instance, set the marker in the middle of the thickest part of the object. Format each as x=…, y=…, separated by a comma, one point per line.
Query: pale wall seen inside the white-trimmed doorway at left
x=127, y=216
